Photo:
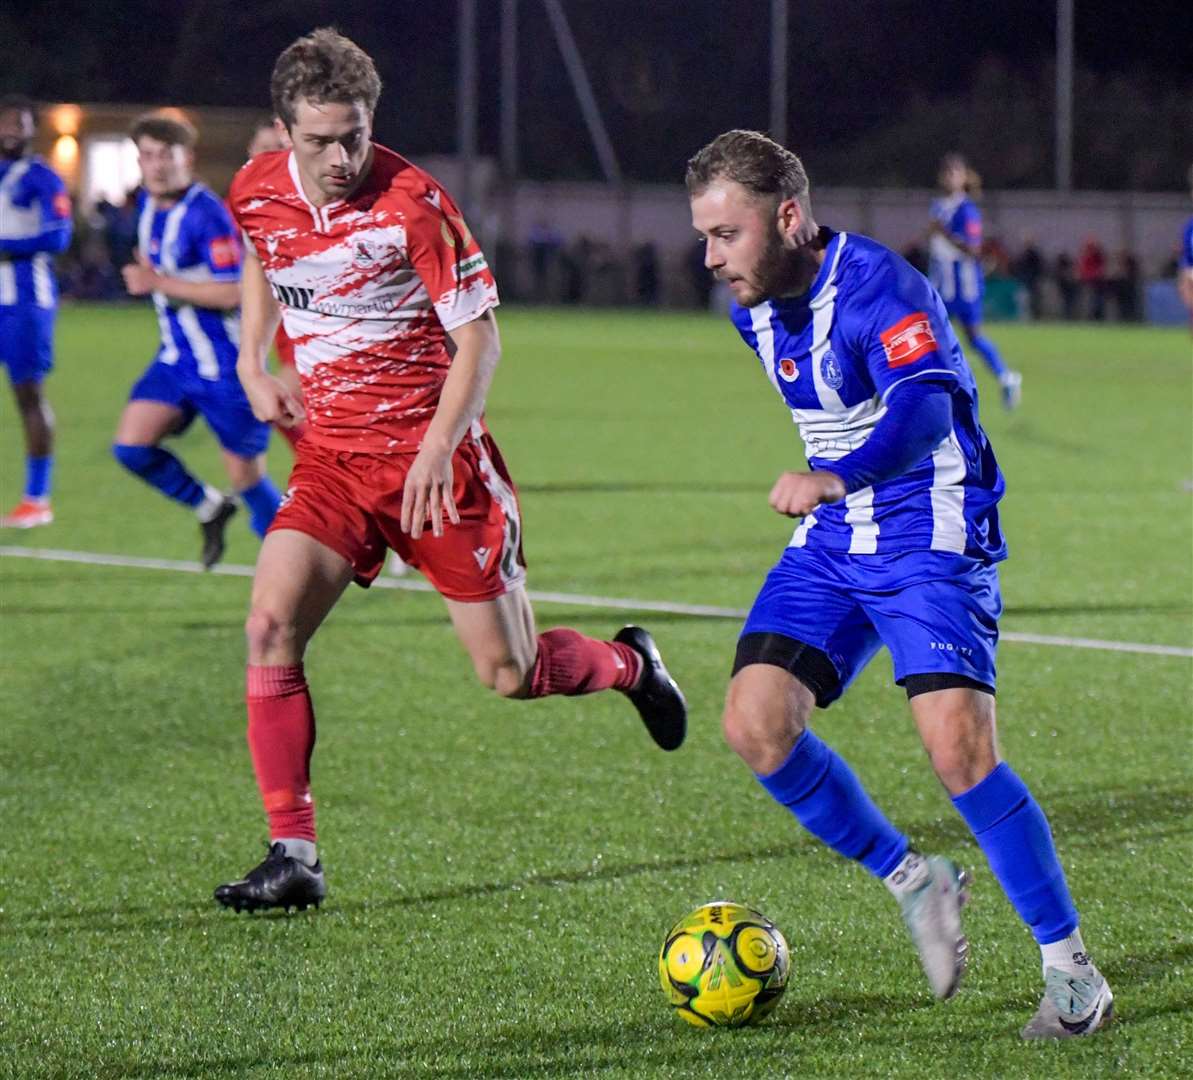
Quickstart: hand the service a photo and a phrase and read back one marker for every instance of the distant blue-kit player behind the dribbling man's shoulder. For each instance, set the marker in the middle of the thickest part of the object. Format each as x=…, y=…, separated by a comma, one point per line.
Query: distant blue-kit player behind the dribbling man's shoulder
x=956, y=267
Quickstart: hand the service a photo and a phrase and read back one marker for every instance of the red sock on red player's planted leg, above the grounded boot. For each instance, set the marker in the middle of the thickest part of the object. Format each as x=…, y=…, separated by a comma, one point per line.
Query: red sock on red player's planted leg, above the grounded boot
x=281, y=739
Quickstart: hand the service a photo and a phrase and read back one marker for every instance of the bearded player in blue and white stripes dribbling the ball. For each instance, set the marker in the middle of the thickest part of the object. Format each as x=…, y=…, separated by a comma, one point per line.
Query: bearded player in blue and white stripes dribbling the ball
x=898, y=547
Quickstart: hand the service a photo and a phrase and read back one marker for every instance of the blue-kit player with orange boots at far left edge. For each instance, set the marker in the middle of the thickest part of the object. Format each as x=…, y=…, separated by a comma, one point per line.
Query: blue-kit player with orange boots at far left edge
x=35, y=226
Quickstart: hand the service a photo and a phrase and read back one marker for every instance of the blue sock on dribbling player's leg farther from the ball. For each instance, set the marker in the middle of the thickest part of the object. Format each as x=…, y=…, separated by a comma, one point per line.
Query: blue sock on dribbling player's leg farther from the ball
x=1013, y=832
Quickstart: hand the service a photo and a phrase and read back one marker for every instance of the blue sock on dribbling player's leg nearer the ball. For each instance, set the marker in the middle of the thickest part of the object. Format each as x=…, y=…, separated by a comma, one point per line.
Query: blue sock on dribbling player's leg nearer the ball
x=829, y=801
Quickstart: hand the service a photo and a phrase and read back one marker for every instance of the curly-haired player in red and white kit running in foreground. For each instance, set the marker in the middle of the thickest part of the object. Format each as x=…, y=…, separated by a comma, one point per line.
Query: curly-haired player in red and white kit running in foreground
x=390, y=304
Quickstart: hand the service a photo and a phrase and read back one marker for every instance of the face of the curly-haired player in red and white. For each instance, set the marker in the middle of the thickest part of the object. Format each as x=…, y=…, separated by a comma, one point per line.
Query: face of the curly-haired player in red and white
x=332, y=147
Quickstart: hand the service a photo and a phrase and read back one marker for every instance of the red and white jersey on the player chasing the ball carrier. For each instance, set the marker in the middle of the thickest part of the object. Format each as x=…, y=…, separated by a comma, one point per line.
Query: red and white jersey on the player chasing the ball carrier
x=369, y=288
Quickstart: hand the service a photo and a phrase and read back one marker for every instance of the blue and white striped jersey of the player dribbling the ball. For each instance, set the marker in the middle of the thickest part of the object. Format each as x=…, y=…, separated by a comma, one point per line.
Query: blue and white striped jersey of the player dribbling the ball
x=868, y=324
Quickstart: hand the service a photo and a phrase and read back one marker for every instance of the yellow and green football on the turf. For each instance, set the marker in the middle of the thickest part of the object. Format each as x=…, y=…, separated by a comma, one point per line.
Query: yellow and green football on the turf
x=725, y=966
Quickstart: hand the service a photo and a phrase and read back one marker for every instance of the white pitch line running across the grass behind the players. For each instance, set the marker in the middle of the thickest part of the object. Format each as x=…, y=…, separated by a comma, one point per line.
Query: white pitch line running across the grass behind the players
x=573, y=600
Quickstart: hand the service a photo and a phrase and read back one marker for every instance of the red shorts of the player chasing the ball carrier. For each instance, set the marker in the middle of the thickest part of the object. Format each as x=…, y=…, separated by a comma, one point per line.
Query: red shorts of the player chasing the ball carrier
x=353, y=504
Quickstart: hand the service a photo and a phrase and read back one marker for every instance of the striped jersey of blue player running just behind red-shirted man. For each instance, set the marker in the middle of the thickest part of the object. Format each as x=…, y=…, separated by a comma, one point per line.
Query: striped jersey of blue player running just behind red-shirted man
x=194, y=239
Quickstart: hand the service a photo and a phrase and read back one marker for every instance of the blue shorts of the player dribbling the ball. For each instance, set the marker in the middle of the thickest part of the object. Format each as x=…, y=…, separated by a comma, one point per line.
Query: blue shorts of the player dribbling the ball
x=937, y=613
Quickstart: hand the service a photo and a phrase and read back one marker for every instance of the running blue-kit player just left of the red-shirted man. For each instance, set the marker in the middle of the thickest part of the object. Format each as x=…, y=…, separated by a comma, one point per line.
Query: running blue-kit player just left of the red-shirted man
x=189, y=261
